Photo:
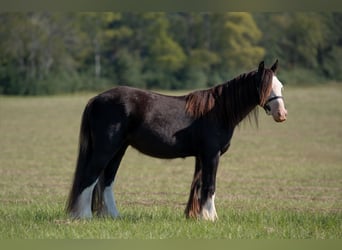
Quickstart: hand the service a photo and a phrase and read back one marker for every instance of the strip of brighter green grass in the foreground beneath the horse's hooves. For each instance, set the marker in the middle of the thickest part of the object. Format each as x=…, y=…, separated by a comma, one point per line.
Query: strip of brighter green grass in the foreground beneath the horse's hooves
x=159, y=222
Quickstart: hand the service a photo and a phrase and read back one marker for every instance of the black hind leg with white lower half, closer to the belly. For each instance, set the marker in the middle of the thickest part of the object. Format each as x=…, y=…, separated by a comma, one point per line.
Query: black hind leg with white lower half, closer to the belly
x=109, y=174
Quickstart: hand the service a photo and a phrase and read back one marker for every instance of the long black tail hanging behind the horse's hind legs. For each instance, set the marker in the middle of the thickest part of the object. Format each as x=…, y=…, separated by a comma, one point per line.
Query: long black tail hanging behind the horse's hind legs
x=85, y=151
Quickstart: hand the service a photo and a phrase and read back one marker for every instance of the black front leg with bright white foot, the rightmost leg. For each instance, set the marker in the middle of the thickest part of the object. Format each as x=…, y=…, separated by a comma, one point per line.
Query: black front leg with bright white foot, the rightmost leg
x=208, y=210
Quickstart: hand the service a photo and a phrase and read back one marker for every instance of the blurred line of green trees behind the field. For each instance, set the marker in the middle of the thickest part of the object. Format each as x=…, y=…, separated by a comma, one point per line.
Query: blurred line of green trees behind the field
x=48, y=53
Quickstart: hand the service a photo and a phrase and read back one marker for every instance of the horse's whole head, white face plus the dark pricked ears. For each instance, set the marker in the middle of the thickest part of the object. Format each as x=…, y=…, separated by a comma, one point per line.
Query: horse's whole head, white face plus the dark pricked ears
x=274, y=102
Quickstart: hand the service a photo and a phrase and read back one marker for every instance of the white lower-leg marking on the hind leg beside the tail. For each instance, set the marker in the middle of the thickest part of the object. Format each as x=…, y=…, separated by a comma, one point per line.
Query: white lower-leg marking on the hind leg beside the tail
x=83, y=206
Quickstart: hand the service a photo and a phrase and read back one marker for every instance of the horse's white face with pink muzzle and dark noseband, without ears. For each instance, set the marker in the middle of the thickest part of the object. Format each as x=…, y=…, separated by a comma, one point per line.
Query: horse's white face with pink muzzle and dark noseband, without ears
x=275, y=103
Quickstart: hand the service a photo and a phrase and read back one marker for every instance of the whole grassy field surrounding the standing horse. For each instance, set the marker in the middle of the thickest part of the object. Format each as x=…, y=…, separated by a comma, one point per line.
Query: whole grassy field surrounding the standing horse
x=278, y=181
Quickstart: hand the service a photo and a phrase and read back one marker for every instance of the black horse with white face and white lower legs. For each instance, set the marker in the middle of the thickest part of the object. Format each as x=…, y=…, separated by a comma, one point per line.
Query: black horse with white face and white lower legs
x=200, y=125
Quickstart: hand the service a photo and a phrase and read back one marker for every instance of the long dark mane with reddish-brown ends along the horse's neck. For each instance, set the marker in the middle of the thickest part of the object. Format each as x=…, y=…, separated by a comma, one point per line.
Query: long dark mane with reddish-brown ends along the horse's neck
x=234, y=99
